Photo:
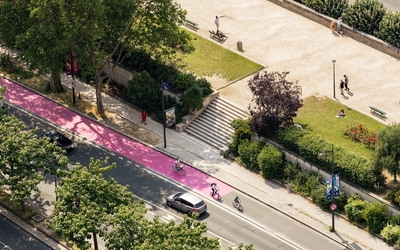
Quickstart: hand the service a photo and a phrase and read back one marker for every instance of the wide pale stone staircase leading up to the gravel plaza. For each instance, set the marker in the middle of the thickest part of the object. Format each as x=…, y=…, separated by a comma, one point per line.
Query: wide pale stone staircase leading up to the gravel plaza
x=212, y=126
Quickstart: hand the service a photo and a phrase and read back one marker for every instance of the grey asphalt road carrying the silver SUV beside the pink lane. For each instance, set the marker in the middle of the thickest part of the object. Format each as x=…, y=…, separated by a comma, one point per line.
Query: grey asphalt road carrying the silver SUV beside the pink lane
x=266, y=228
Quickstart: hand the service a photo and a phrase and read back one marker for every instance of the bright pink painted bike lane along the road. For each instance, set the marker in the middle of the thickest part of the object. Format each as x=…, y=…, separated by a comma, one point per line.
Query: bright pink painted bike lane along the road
x=110, y=139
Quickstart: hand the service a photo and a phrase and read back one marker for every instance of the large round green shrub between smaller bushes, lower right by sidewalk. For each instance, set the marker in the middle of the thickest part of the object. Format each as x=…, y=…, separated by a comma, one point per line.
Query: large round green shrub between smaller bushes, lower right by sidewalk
x=375, y=216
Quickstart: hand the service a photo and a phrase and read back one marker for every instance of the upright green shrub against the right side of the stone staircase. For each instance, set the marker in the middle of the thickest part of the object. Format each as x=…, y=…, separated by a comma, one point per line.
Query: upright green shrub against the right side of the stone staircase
x=242, y=132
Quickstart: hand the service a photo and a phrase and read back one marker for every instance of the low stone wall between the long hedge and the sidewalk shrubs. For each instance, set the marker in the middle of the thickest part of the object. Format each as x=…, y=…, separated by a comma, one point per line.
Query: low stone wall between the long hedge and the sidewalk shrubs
x=347, y=187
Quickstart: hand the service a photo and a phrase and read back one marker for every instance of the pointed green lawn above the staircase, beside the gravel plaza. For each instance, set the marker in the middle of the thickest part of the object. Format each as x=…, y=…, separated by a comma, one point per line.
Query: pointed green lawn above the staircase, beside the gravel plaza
x=210, y=59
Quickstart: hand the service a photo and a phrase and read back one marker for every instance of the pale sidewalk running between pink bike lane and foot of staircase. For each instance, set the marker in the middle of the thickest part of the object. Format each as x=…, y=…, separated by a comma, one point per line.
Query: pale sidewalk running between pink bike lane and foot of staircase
x=207, y=159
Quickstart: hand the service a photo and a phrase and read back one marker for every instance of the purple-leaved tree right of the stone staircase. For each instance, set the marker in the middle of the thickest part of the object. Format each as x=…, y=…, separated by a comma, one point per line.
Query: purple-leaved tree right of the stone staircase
x=275, y=101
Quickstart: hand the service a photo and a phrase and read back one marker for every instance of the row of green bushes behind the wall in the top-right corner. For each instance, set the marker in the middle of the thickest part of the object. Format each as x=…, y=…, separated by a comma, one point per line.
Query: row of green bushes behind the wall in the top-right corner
x=369, y=16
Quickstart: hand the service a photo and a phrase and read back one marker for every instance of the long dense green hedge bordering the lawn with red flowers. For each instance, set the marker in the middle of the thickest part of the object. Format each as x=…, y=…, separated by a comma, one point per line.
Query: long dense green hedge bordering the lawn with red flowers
x=350, y=166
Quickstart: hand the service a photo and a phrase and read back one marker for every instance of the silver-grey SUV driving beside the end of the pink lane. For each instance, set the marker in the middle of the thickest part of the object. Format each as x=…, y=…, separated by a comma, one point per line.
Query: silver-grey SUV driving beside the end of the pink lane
x=187, y=203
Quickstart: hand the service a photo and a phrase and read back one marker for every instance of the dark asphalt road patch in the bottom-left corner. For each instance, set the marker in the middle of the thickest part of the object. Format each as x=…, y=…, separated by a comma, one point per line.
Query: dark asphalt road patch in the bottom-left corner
x=13, y=237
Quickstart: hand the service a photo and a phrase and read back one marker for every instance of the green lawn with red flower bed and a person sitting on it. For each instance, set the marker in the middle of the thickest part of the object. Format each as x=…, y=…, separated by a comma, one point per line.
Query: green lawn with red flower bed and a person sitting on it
x=318, y=117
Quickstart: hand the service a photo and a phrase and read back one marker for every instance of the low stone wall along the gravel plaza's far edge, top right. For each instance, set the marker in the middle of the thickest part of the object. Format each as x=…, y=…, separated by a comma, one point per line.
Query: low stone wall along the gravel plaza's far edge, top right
x=347, y=30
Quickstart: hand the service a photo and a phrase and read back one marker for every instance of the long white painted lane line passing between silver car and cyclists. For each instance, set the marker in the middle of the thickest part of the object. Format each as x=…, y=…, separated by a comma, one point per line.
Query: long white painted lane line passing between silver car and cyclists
x=226, y=208
